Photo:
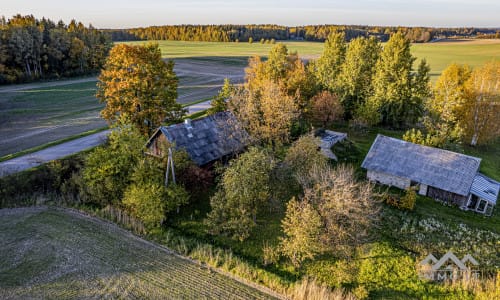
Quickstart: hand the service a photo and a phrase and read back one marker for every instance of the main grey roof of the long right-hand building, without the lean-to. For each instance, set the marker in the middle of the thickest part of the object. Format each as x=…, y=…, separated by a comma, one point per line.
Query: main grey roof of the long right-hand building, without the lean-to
x=446, y=170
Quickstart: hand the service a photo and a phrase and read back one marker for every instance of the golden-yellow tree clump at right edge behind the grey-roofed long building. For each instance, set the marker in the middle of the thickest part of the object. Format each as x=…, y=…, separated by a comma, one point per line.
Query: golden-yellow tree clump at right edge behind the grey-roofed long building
x=466, y=104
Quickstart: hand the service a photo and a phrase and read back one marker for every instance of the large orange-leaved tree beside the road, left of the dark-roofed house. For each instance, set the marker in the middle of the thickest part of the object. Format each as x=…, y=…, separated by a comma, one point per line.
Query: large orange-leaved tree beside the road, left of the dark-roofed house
x=138, y=84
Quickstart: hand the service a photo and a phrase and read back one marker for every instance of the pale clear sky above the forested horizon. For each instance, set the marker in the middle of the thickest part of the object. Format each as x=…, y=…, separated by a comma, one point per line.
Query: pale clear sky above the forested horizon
x=129, y=13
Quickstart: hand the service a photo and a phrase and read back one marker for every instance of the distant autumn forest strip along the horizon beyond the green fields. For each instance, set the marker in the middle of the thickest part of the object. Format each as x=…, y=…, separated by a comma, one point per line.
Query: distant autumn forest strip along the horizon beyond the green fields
x=244, y=33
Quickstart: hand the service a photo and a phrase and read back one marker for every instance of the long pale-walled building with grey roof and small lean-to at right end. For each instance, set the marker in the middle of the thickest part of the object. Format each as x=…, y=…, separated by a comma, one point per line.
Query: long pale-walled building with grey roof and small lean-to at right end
x=440, y=174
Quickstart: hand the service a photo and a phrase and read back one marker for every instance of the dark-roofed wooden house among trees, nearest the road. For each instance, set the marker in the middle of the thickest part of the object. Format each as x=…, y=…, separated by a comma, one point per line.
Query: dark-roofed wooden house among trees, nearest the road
x=205, y=140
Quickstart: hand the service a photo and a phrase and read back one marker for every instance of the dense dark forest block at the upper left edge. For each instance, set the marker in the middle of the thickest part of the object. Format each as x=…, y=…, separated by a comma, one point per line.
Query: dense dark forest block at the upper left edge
x=33, y=49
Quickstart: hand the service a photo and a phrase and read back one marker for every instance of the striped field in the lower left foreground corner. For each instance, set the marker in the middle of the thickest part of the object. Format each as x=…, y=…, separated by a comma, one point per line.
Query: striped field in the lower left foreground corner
x=56, y=254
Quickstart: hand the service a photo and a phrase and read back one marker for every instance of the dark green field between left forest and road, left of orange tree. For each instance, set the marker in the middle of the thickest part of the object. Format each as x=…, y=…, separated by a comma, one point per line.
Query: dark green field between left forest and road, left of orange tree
x=47, y=112
